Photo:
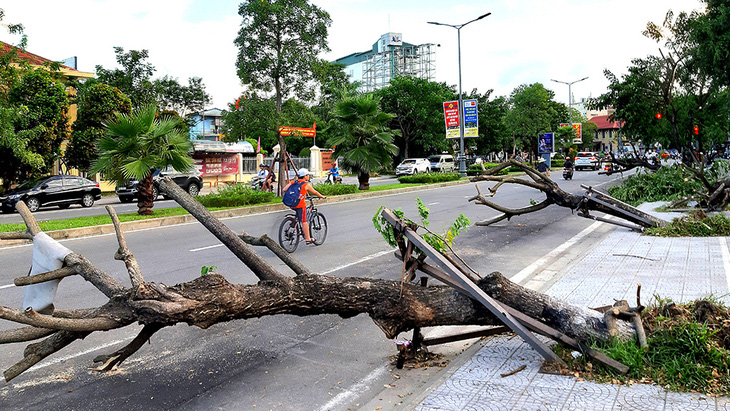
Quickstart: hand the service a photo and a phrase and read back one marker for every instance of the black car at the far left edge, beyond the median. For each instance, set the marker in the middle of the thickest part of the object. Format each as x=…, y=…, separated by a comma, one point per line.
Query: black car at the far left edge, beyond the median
x=61, y=191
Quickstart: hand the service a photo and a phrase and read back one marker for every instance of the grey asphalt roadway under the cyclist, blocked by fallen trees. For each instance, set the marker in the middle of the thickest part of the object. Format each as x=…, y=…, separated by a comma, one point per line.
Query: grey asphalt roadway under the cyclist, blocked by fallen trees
x=278, y=362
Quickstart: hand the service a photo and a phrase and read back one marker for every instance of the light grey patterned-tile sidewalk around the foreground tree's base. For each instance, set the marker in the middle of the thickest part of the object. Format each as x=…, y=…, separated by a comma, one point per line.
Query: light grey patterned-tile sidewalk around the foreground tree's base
x=682, y=269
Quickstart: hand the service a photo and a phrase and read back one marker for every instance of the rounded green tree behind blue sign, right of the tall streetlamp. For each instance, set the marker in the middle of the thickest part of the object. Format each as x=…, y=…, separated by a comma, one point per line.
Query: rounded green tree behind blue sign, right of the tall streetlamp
x=530, y=114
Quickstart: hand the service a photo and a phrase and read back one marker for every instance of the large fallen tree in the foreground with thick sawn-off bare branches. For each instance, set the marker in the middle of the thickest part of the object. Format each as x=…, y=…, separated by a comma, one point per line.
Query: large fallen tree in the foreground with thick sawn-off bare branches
x=395, y=306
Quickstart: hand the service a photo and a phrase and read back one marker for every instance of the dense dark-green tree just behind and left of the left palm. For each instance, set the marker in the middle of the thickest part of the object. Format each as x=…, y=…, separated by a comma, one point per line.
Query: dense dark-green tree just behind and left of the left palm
x=97, y=103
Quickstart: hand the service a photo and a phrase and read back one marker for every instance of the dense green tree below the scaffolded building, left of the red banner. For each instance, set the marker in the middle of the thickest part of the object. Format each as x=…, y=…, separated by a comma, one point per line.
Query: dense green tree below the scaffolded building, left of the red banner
x=418, y=108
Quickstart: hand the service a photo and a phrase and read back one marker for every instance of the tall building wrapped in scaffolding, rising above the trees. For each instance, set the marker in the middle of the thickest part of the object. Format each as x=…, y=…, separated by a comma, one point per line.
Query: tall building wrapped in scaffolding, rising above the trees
x=390, y=57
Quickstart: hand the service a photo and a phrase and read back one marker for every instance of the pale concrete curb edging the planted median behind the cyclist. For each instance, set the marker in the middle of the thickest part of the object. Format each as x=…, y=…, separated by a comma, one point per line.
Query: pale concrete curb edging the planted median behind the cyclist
x=80, y=232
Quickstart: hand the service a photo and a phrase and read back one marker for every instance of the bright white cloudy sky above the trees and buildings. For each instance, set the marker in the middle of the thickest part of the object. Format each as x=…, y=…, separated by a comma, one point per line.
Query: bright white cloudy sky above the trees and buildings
x=522, y=42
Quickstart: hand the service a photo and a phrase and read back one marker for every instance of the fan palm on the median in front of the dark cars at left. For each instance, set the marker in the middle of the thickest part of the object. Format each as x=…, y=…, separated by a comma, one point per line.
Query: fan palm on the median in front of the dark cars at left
x=136, y=144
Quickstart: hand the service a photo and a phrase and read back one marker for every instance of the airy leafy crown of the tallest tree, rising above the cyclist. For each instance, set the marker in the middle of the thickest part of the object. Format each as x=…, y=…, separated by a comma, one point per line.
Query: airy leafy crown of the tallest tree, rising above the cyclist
x=278, y=43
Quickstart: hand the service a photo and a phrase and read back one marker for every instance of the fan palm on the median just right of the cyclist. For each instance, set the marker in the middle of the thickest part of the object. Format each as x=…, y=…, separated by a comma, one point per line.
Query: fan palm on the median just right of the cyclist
x=362, y=136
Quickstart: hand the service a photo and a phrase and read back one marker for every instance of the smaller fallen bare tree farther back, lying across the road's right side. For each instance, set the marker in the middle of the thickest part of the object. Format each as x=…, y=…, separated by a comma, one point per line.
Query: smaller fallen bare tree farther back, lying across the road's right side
x=584, y=204
